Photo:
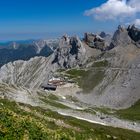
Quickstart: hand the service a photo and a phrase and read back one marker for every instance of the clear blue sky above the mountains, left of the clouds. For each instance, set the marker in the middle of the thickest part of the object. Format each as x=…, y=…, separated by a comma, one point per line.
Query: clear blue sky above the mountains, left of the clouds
x=24, y=19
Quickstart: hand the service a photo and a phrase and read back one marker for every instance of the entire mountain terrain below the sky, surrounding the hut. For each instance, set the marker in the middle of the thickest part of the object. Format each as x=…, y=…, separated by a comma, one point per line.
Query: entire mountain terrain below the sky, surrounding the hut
x=99, y=95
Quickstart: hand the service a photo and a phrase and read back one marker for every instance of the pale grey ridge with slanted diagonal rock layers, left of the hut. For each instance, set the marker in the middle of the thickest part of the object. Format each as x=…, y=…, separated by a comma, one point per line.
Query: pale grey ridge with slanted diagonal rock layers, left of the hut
x=30, y=74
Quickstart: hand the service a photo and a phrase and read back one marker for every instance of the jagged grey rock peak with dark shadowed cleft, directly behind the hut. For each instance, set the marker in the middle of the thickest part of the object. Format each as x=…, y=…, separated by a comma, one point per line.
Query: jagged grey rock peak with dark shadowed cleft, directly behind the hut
x=70, y=53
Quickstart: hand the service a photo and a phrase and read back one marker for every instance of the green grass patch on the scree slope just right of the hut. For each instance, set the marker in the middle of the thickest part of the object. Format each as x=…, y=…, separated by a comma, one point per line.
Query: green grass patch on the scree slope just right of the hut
x=89, y=79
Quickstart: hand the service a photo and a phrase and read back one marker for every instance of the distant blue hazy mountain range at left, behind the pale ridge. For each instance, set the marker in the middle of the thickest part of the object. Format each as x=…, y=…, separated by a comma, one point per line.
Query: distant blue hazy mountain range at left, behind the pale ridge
x=24, y=50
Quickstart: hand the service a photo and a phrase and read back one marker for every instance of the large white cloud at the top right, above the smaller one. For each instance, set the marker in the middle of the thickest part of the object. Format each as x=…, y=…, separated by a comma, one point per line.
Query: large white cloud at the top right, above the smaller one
x=115, y=9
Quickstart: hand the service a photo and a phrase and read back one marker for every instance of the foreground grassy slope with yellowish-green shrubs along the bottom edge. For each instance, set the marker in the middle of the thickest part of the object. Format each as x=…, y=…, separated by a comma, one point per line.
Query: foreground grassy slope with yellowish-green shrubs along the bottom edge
x=36, y=123
